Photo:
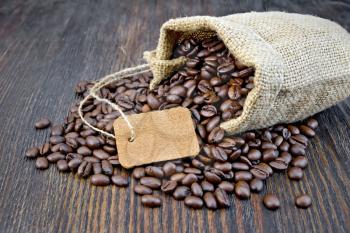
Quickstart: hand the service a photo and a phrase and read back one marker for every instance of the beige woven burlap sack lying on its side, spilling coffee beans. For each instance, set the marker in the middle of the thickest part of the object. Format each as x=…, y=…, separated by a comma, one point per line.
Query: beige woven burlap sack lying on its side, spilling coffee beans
x=302, y=62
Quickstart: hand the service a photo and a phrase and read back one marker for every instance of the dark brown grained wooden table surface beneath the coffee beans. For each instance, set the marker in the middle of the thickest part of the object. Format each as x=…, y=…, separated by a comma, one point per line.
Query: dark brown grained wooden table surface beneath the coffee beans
x=47, y=46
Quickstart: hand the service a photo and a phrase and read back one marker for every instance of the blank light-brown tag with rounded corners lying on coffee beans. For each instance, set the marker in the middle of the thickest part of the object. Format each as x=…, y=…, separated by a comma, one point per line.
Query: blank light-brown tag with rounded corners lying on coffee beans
x=160, y=135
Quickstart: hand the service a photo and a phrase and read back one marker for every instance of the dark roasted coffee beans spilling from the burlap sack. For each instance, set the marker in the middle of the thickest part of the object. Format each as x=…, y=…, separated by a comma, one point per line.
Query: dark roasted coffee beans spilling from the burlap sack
x=214, y=86
